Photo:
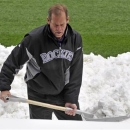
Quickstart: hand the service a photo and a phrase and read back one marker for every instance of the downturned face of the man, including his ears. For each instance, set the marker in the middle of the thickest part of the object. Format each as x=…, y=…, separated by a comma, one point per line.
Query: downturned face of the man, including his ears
x=58, y=24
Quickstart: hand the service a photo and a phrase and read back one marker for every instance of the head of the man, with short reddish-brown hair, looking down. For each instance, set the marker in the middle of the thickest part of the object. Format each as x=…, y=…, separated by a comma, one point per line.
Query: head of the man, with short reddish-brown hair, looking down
x=58, y=19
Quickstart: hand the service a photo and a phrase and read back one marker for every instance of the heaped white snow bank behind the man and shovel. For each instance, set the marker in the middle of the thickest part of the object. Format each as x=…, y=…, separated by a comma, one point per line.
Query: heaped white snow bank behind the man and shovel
x=105, y=90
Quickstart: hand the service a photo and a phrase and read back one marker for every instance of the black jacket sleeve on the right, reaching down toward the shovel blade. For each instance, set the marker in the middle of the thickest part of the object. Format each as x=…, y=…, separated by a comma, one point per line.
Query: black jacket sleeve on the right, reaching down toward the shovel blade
x=72, y=89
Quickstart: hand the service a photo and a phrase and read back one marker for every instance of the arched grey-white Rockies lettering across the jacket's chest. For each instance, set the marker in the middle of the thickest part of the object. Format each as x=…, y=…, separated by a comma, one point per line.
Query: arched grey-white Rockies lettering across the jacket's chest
x=55, y=54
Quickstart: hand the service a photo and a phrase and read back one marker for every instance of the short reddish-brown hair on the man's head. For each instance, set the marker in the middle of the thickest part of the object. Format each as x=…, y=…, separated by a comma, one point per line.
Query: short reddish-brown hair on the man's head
x=57, y=9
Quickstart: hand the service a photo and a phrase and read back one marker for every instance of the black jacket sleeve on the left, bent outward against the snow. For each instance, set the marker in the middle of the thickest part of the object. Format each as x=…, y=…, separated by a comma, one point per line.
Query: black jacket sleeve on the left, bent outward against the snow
x=13, y=64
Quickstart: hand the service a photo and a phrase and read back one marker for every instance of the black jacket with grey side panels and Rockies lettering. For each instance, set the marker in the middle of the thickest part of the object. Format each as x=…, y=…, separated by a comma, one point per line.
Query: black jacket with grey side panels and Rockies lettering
x=52, y=68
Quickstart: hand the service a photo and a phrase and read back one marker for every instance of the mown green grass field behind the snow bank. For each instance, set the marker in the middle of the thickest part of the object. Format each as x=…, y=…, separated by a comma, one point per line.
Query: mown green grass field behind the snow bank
x=103, y=24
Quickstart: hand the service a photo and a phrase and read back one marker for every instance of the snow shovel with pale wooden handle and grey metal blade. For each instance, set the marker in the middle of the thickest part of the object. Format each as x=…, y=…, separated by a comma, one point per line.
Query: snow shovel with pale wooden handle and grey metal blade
x=85, y=115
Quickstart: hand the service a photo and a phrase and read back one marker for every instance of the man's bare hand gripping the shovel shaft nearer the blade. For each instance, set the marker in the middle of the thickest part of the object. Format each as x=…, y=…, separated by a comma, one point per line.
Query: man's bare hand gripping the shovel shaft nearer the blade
x=71, y=112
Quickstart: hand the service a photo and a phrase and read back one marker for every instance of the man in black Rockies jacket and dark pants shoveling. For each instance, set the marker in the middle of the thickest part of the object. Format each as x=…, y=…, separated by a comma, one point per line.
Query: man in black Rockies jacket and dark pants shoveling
x=54, y=57
